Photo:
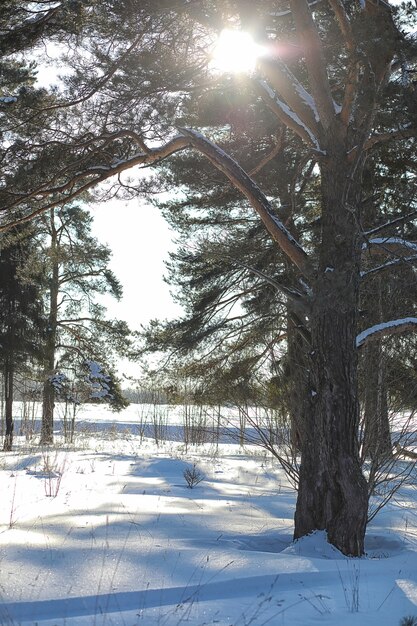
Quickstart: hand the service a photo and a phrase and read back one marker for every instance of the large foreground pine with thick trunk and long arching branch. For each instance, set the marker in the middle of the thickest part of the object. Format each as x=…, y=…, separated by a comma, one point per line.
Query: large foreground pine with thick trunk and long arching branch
x=342, y=94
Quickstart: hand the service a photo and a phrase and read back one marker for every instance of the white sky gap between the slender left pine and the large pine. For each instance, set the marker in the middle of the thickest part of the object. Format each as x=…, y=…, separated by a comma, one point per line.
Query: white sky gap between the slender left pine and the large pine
x=140, y=240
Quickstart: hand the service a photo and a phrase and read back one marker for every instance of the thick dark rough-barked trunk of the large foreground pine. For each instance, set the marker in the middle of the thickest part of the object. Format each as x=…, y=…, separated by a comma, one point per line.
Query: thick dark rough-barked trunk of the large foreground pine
x=332, y=490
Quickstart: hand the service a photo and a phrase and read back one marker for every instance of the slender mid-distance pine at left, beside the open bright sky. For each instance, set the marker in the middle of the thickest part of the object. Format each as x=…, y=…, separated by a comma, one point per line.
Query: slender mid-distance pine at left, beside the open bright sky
x=77, y=272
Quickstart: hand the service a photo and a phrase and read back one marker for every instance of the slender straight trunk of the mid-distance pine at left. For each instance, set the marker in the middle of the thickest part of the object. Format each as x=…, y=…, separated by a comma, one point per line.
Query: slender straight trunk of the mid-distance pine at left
x=48, y=399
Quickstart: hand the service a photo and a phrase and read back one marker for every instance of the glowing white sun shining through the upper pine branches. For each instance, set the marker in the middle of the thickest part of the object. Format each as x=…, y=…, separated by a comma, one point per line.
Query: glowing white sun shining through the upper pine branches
x=235, y=51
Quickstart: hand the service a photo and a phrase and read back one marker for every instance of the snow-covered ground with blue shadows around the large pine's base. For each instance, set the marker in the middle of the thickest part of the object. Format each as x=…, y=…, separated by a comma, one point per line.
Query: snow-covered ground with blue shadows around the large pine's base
x=106, y=531
